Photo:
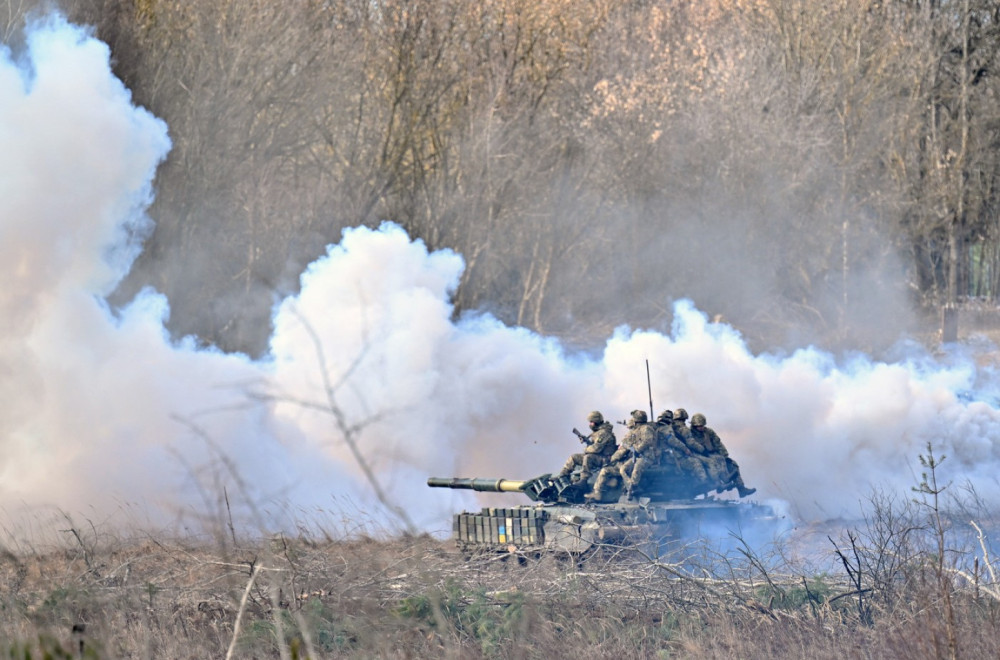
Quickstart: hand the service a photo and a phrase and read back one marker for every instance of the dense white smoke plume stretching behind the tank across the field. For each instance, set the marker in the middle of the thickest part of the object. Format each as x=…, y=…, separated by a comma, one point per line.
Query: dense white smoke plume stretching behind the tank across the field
x=104, y=415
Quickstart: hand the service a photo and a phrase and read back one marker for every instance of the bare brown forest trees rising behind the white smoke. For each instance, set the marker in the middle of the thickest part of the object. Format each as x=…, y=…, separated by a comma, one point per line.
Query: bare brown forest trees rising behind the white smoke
x=809, y=171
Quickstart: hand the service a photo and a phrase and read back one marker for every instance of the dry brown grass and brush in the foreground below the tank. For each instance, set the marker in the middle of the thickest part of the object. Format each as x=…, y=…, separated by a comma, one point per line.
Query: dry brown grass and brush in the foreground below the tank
x=909, y=581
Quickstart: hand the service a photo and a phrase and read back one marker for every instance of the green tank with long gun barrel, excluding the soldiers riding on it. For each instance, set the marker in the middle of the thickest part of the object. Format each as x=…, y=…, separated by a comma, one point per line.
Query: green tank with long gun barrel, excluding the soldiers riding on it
x=665, y=508
